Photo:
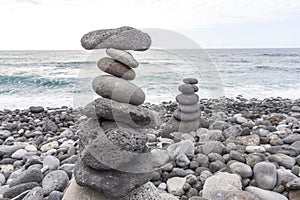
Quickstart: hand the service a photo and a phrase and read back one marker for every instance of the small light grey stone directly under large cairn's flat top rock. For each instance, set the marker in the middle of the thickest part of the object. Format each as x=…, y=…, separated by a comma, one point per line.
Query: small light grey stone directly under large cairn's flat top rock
x=123, y=57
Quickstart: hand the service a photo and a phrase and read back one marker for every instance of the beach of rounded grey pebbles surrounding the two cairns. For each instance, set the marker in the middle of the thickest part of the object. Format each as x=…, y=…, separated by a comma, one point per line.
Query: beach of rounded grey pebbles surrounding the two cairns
x=252, y=144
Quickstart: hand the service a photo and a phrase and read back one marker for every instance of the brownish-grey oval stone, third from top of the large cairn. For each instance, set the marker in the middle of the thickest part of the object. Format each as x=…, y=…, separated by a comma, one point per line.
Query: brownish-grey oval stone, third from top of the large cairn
x=116, y=68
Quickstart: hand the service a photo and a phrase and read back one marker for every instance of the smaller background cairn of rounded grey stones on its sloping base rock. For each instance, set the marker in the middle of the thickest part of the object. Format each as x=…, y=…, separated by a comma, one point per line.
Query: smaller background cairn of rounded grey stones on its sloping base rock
x=186, y=117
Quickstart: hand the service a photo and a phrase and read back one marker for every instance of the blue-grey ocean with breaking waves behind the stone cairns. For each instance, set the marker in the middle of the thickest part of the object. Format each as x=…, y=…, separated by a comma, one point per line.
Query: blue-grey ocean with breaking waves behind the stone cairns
x=63, y=78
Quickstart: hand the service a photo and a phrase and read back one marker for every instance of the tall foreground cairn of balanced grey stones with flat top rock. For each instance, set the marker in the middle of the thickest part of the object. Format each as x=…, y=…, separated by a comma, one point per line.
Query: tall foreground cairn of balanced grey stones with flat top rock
x=114, y=159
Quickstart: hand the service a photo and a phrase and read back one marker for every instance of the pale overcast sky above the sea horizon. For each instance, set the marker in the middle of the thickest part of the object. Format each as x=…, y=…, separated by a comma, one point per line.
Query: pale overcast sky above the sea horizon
x=59, y=24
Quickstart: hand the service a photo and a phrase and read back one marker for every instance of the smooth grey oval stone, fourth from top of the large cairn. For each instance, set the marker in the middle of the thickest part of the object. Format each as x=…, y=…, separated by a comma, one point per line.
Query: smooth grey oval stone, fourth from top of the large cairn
x=118, y=89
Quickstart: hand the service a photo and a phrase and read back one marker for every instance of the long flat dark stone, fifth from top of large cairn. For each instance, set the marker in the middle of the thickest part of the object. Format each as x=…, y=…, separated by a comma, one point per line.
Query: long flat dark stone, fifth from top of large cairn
x=134, y=116
